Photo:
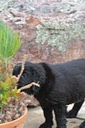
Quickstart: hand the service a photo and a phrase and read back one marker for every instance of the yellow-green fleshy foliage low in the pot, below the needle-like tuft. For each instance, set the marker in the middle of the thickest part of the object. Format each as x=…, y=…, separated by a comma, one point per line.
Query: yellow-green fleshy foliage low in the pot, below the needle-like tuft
x=8, y=90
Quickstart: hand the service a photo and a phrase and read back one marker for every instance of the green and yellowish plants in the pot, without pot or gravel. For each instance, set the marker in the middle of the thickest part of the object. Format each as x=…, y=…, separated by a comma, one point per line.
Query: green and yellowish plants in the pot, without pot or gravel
x=9, y=45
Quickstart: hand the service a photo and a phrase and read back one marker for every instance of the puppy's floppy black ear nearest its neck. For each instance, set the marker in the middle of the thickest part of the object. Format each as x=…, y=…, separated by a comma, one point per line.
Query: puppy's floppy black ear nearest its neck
x=38, y=74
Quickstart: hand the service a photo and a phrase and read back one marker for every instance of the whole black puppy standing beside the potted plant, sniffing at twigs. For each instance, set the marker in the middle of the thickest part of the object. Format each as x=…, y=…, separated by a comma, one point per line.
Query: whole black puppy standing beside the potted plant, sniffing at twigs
x=60, y=85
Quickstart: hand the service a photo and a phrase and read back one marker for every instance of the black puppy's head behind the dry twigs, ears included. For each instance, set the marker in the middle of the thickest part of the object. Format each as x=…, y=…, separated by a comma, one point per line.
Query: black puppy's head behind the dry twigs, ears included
x=31, y=73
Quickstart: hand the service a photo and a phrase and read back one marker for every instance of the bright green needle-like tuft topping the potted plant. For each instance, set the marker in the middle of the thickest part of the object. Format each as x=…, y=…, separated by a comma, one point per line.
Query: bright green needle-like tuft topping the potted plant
x=9, y=42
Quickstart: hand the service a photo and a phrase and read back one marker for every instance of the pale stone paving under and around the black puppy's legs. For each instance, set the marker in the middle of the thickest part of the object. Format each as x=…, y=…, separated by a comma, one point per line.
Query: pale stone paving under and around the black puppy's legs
x=35, y=118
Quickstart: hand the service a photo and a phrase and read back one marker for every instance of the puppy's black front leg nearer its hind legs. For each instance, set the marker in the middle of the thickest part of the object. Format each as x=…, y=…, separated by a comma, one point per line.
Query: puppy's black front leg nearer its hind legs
x=60, y=116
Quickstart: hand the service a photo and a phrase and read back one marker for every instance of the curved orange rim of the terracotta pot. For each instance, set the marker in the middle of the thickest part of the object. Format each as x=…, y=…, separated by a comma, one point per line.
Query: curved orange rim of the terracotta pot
x=16, y=120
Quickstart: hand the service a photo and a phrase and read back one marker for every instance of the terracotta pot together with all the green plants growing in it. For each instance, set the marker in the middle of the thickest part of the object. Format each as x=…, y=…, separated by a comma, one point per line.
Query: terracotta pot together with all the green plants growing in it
x=12, y=110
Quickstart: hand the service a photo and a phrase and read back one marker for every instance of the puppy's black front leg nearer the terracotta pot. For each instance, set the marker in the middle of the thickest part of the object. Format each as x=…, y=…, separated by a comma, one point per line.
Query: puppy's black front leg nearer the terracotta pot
x=48, y=118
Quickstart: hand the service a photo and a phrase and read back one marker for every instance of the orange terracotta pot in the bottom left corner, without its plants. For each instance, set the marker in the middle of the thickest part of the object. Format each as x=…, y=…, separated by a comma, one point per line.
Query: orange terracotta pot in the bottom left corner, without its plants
x=18, y=123
